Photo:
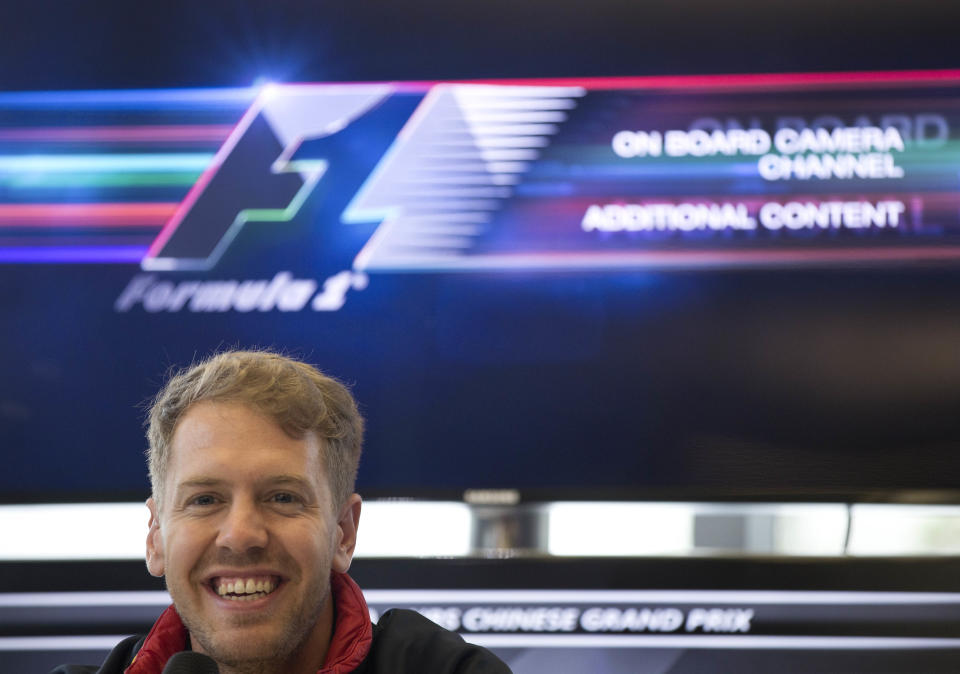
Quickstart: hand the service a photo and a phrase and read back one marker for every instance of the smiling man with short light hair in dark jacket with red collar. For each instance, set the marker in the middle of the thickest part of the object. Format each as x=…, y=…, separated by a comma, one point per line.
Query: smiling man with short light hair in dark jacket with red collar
x=253, y=524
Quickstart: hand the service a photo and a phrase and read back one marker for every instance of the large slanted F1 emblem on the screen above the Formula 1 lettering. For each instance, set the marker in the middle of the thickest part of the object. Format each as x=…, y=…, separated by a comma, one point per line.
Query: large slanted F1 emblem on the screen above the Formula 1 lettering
x=450, y=167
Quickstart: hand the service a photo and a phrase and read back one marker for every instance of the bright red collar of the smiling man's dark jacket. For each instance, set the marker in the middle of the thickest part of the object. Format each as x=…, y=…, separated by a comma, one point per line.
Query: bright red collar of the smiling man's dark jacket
x=349, y=645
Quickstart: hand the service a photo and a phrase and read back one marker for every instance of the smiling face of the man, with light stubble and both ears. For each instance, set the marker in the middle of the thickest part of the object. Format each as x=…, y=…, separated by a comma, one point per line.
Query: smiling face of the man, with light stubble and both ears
x=247, y=536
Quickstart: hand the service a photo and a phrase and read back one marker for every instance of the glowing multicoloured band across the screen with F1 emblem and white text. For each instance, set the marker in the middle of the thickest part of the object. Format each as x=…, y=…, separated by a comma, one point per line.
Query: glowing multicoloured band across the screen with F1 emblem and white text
x=608, y=173
